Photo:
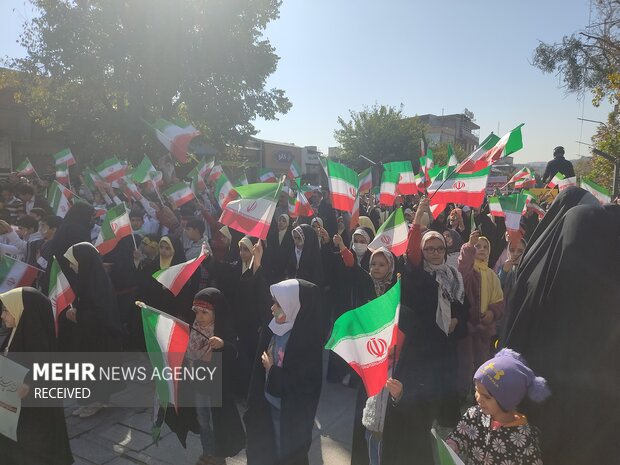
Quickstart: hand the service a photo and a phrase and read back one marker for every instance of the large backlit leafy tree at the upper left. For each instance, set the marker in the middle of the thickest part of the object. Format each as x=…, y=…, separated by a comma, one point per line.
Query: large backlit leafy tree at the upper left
x=97, y=70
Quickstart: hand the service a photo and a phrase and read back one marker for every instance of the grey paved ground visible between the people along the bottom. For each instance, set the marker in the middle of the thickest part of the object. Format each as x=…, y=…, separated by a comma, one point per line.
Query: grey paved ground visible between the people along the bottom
x=122, y=436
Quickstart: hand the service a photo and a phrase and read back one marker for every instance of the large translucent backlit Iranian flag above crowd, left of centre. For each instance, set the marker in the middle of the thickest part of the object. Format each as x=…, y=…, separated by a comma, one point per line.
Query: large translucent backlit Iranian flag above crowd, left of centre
x=250, y=208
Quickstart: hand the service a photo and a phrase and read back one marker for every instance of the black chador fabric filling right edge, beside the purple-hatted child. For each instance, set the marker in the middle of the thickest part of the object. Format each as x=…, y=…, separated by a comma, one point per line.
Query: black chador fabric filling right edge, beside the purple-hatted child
x=566, y=322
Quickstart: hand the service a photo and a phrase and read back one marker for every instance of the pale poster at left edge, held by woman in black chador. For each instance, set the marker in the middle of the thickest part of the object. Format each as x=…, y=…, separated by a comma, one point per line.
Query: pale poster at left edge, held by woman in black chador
x=11, y=379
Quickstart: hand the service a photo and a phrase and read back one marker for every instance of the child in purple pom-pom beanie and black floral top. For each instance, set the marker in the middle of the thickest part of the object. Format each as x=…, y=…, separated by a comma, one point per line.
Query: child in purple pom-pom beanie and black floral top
x=493, y=432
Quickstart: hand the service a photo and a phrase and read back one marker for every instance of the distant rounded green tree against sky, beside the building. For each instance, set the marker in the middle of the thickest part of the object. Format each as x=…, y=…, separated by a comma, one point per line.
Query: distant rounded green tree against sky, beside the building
x=380, y=133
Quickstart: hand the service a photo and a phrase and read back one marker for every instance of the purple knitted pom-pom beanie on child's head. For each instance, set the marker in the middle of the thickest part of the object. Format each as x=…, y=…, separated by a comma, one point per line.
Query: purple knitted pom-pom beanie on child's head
x=508, y=379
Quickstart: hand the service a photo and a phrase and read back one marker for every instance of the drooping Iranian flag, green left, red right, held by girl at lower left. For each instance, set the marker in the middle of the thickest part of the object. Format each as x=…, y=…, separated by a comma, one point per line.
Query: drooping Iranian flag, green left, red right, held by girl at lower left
x=166, y=341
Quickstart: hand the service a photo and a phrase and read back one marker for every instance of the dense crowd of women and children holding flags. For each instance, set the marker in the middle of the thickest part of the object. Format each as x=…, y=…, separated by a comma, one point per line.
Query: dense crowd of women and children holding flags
x=486, y=319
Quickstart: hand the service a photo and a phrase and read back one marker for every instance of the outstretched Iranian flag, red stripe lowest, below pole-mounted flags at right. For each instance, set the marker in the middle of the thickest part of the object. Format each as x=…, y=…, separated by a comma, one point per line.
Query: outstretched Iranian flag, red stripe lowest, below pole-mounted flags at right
x=466, y=189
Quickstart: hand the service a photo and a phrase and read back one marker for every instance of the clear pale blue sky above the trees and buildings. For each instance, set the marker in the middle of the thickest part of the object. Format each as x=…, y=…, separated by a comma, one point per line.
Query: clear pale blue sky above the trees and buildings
x=448, y=55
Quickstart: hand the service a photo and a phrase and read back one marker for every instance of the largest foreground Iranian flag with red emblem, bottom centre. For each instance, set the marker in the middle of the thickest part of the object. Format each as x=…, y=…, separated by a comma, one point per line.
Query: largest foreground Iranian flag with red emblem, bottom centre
x=364, y=336
